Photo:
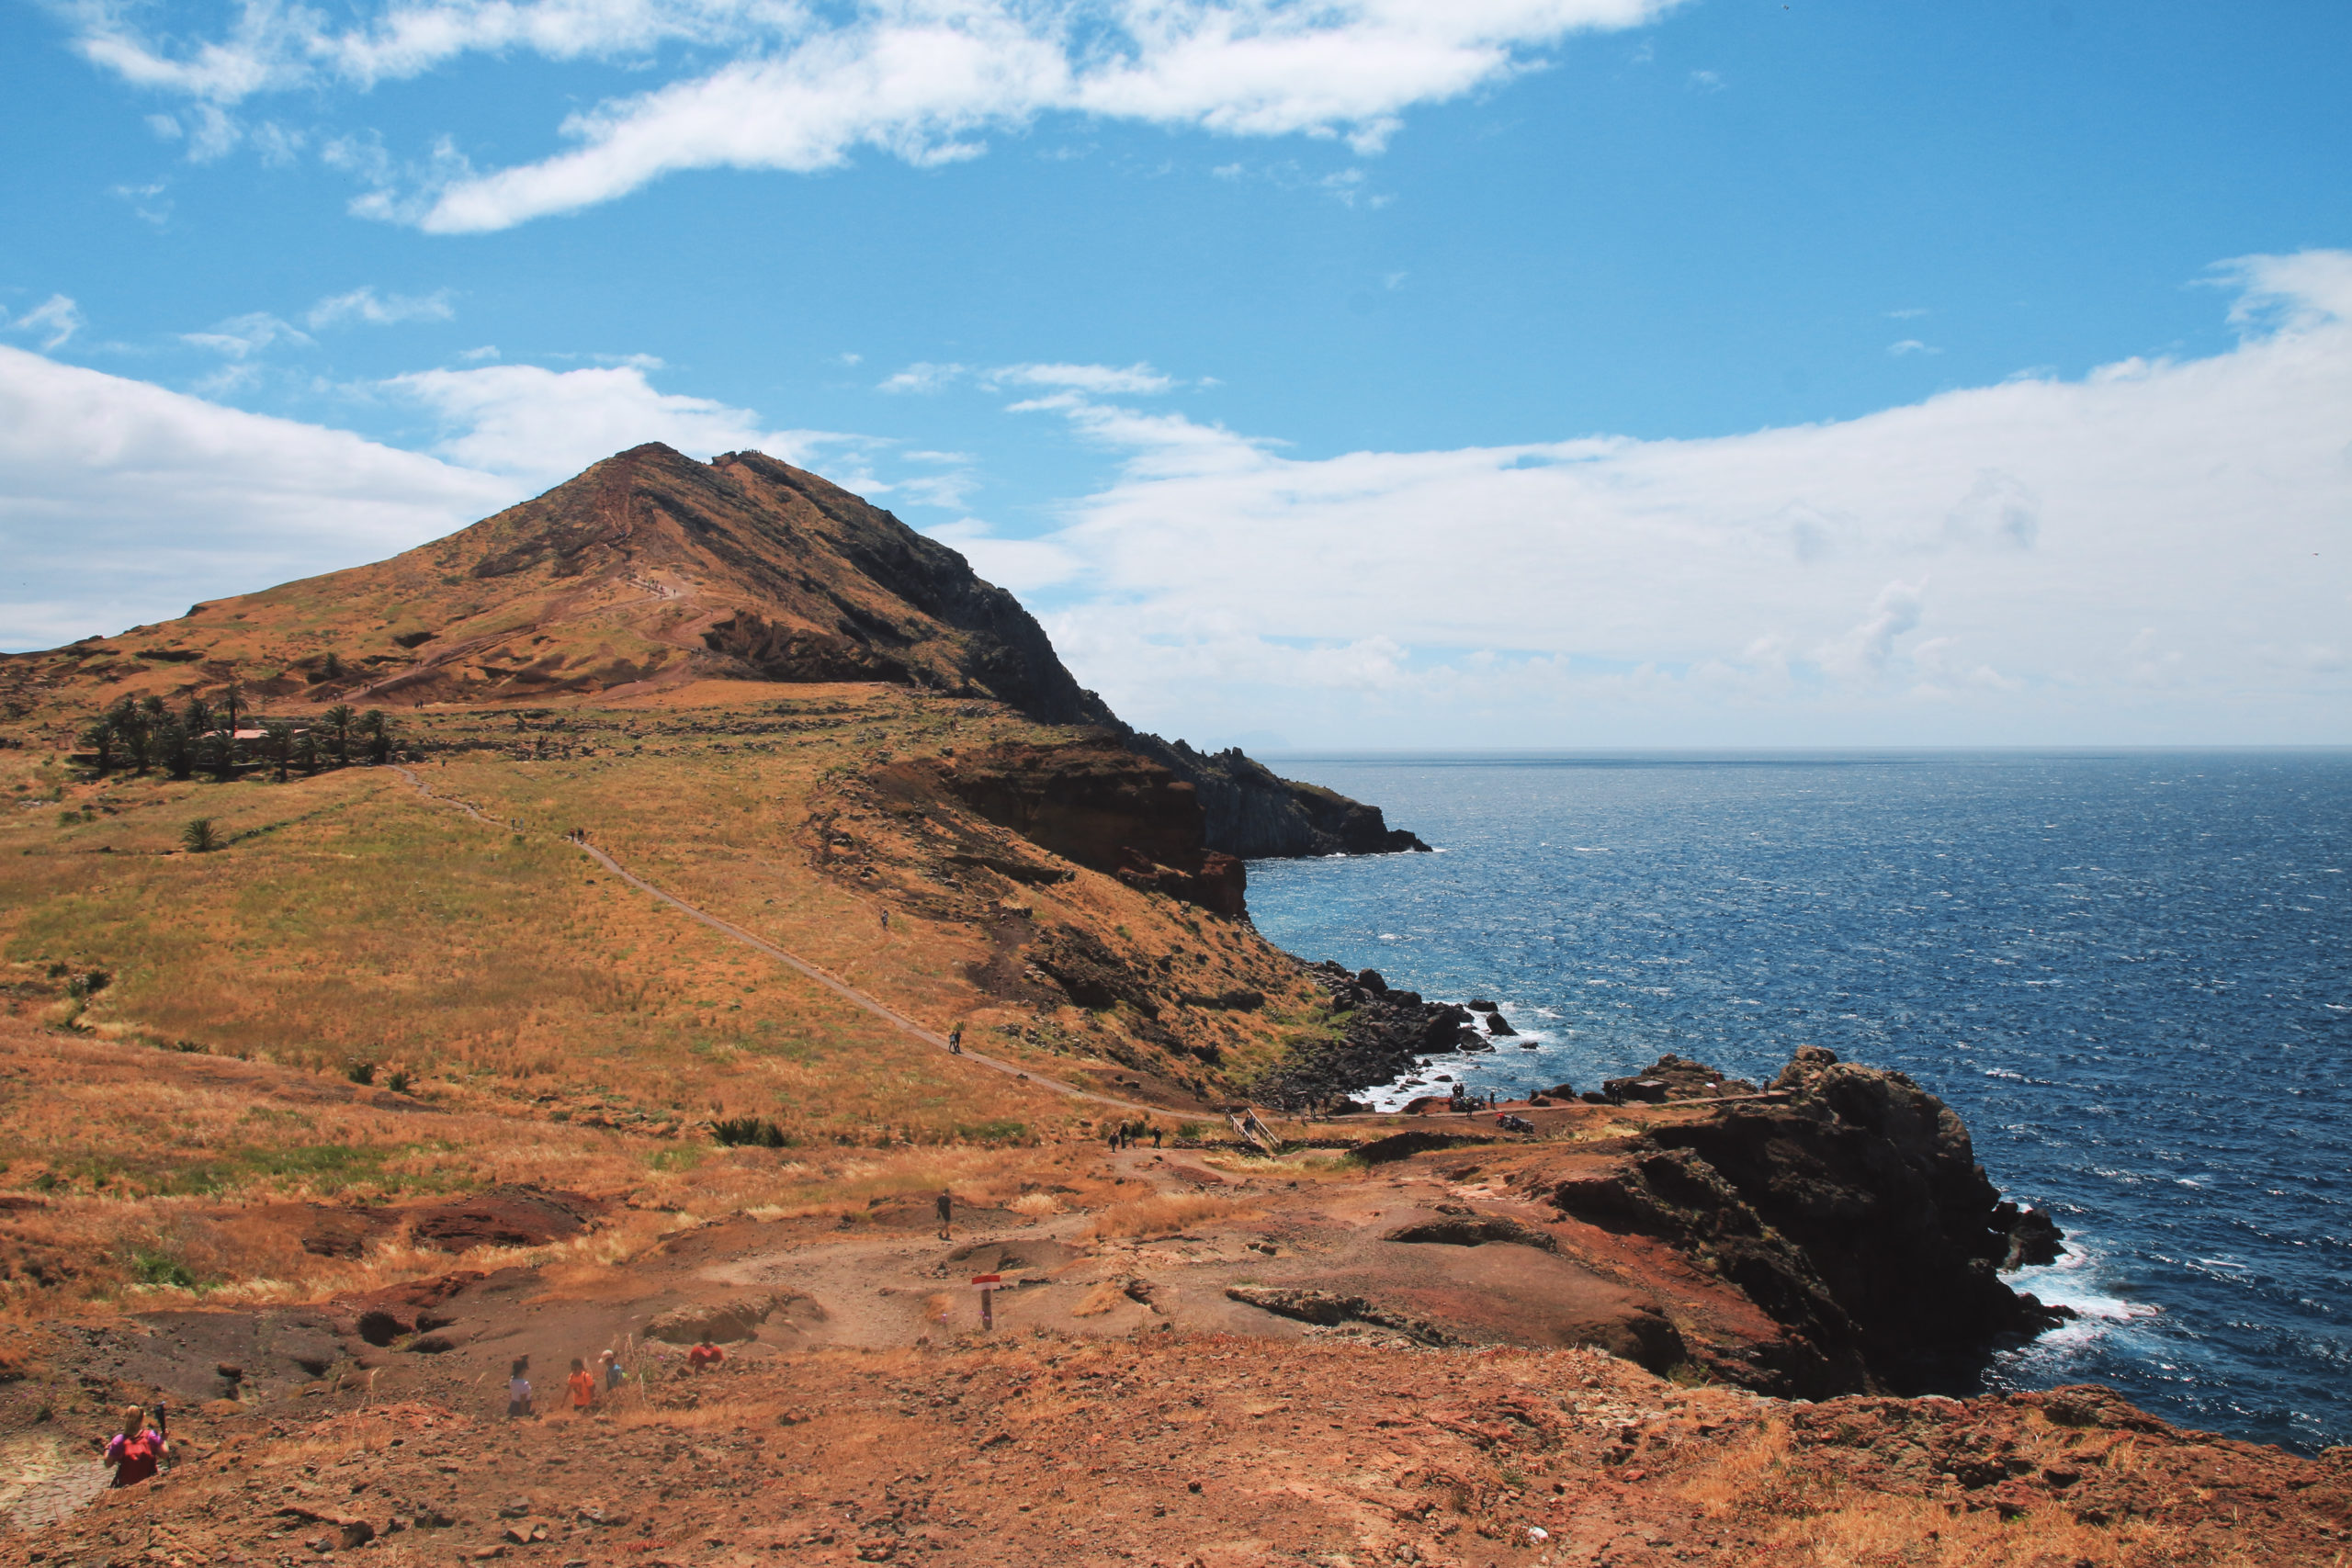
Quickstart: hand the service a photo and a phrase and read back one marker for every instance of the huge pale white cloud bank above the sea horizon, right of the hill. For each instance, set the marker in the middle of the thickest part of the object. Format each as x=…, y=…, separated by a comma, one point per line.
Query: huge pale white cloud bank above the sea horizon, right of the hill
x=2156, y=551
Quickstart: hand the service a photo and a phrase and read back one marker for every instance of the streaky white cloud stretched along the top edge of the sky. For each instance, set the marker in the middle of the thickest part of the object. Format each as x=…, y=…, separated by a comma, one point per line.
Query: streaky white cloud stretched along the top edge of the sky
x=803, y=91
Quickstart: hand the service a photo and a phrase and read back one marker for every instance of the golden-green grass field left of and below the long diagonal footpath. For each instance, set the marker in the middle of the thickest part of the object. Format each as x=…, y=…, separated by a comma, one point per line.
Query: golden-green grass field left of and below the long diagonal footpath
x=361, y=923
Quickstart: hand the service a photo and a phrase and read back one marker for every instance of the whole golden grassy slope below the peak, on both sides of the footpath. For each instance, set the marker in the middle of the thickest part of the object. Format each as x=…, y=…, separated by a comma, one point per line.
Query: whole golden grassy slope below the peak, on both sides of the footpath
x=559, y=1026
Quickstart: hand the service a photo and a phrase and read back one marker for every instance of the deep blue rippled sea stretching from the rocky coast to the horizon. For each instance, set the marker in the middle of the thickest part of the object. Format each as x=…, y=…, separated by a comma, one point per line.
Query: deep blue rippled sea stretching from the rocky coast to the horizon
x=2130, y=974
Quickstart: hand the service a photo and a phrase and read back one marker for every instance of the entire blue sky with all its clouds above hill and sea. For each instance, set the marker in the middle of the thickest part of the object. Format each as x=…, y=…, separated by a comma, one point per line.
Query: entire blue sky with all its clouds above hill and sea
x=1389, y=373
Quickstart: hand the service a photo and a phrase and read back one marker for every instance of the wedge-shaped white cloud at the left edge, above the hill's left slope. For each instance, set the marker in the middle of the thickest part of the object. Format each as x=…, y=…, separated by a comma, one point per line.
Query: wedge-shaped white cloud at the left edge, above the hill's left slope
x=123, y=502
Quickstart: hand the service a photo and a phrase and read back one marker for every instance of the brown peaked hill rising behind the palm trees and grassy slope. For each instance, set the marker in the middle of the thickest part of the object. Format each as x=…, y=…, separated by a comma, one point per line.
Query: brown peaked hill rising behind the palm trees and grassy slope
x=641, y=575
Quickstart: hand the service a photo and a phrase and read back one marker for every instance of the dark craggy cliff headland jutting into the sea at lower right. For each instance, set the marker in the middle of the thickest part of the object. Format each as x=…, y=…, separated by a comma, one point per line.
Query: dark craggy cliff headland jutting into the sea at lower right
x=1847, y=1207
